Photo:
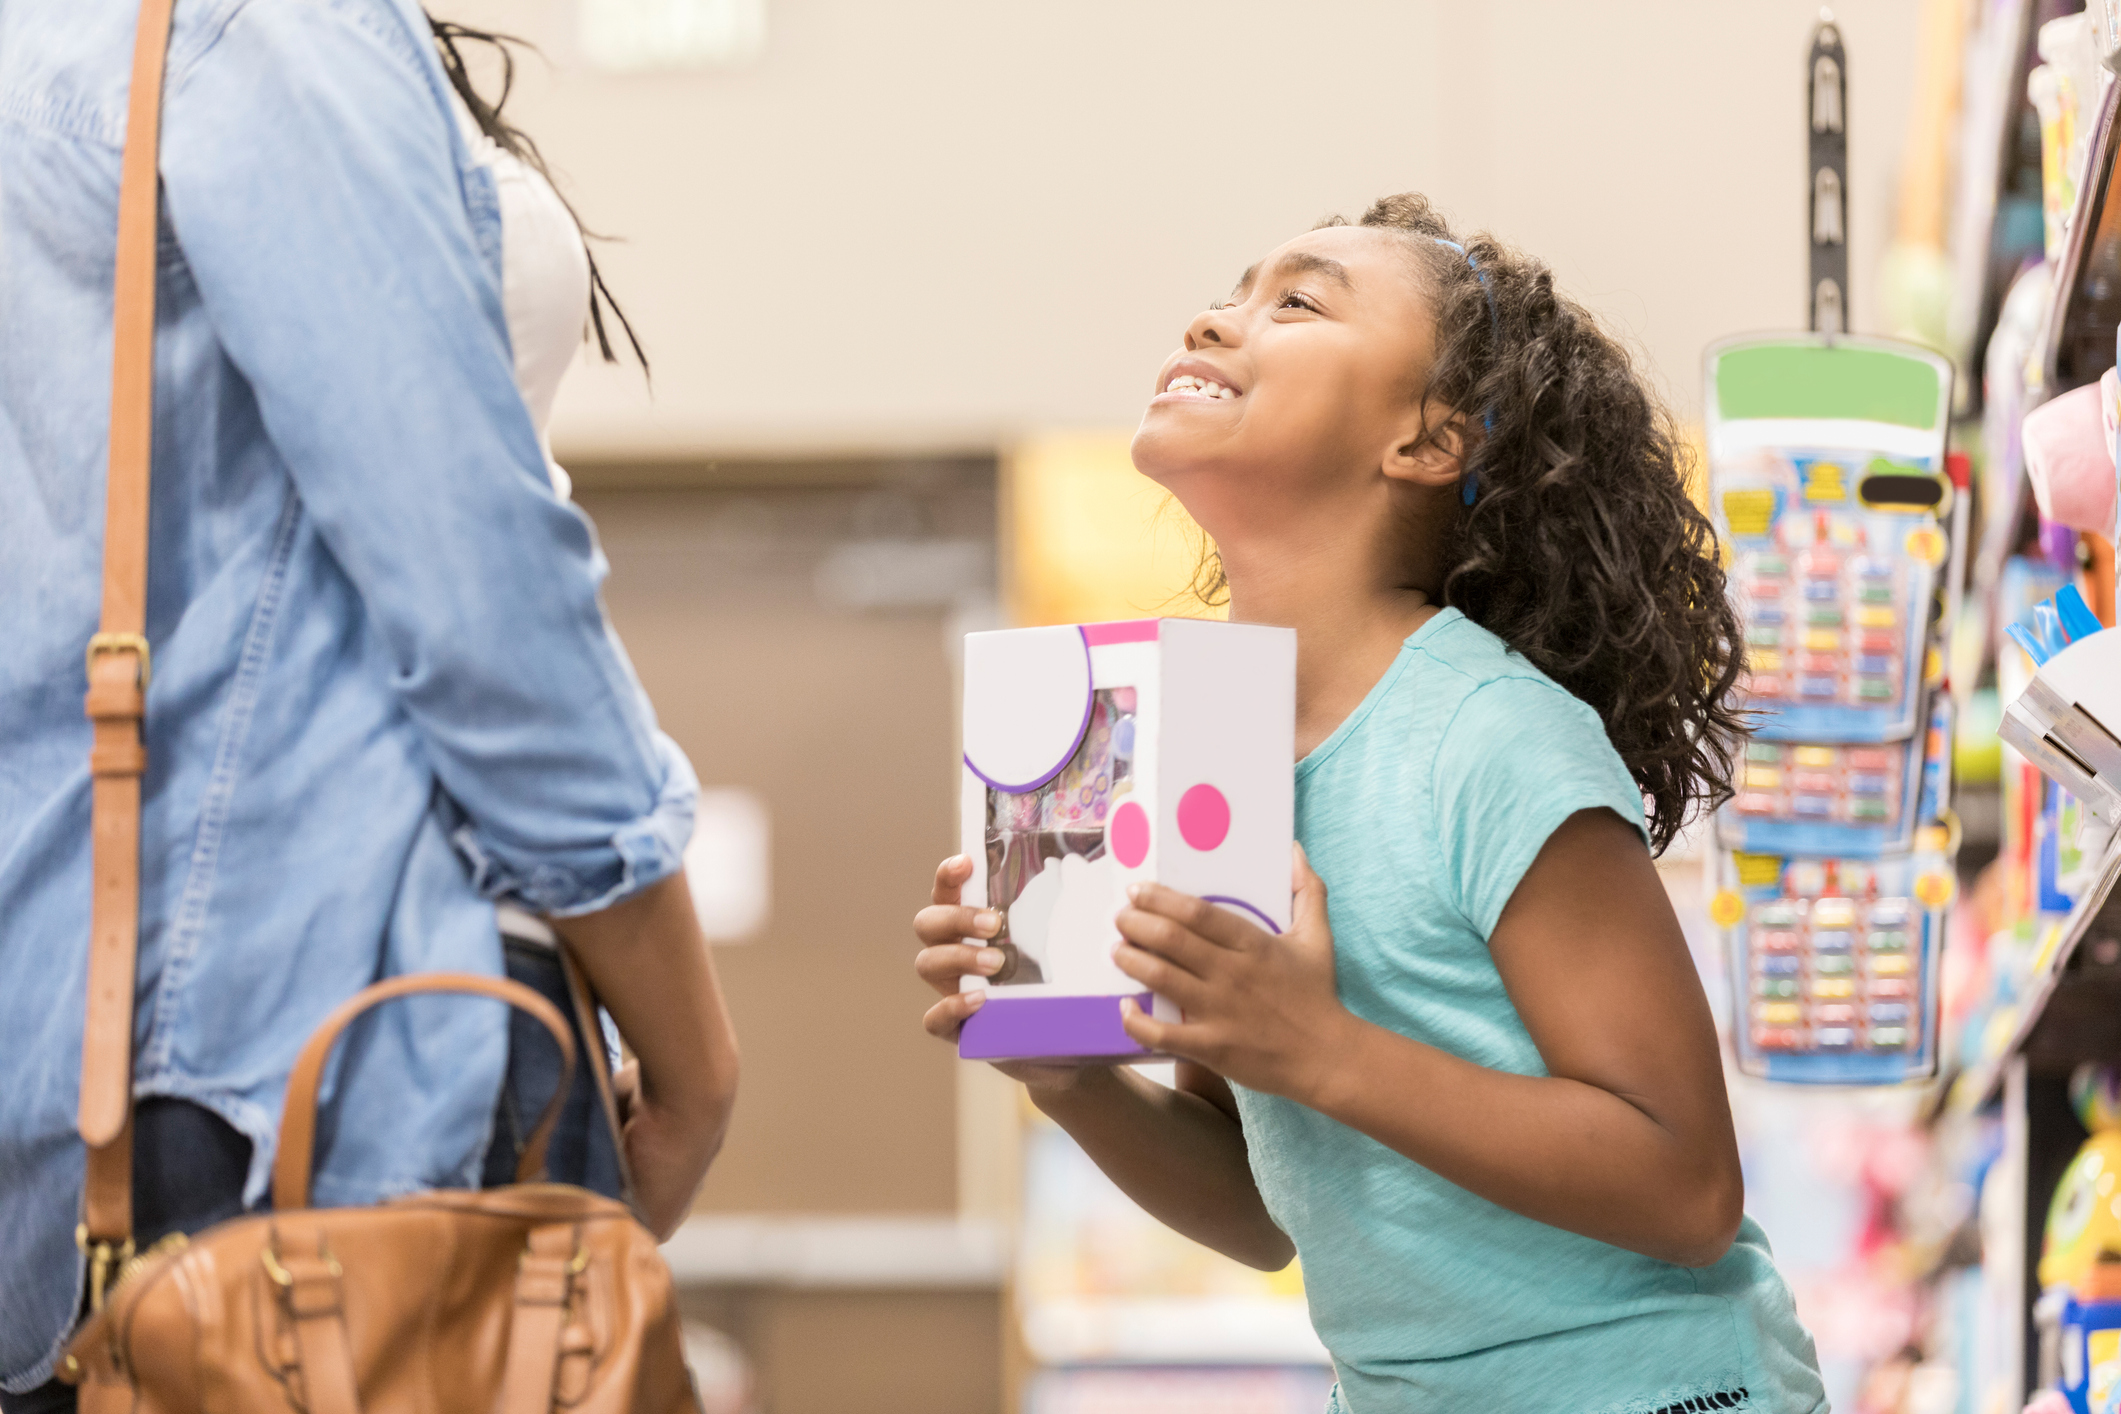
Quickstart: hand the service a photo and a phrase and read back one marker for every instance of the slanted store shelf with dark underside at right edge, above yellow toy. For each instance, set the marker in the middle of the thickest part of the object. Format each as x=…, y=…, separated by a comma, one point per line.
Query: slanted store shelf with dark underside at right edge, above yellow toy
x=2071, y=1008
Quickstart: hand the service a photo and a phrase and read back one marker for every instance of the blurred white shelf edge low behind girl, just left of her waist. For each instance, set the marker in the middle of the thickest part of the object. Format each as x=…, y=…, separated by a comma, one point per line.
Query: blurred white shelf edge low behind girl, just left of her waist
x=1231, y=1330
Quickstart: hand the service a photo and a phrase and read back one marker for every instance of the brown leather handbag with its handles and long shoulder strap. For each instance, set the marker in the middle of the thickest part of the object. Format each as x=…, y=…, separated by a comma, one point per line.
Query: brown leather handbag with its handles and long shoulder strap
x=516, y=1301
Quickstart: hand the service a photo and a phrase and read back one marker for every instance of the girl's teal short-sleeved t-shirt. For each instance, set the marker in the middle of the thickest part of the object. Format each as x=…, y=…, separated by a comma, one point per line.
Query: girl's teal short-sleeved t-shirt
x=1422, y=813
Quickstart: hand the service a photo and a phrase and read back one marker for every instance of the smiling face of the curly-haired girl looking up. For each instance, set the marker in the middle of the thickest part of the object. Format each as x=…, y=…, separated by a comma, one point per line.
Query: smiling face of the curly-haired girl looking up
x=1299, y=400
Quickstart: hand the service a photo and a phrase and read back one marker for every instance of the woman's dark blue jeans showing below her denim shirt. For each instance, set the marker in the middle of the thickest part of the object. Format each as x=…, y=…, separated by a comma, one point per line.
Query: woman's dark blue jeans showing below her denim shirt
x=190, y=1165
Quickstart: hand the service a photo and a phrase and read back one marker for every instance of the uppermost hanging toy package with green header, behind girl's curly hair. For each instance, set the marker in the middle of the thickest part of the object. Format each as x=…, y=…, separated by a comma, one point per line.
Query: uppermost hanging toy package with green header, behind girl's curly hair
x=1827, y=463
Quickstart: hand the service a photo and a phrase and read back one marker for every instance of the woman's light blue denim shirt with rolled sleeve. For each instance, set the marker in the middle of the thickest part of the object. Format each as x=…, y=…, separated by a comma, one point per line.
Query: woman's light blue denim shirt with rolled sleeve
x=385, y=690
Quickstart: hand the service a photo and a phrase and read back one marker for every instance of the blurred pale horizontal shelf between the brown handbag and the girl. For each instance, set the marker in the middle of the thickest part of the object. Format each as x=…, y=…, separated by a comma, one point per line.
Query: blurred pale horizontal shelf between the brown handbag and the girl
x=843, y=1254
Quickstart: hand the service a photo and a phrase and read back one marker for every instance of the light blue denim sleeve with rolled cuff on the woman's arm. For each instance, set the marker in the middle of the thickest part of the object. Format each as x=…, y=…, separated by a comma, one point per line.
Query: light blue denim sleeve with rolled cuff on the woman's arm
x=313, y=181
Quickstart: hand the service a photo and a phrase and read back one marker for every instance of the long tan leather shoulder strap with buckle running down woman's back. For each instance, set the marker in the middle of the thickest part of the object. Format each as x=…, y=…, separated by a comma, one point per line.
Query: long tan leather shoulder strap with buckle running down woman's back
x=118, y=671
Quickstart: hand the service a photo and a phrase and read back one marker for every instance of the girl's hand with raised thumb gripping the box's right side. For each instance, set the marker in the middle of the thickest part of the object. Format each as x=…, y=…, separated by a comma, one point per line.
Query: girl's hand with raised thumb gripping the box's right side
x=1261, y=1008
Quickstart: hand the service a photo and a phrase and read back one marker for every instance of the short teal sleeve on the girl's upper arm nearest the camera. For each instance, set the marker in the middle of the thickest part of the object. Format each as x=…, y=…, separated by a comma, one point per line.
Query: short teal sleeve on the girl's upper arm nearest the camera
x=1518, y=758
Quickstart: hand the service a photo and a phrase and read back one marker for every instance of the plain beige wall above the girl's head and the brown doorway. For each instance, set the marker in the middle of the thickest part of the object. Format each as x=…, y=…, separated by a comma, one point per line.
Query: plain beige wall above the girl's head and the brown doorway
x=939, y=224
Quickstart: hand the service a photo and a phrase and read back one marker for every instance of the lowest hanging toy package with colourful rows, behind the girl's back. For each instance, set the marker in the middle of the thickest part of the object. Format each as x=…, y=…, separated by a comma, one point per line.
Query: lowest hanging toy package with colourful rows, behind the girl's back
x=1836, y=964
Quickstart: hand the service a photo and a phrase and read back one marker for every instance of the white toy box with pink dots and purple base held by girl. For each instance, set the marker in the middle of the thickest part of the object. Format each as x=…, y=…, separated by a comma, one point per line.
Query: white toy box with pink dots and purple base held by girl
x=1102, y=756
